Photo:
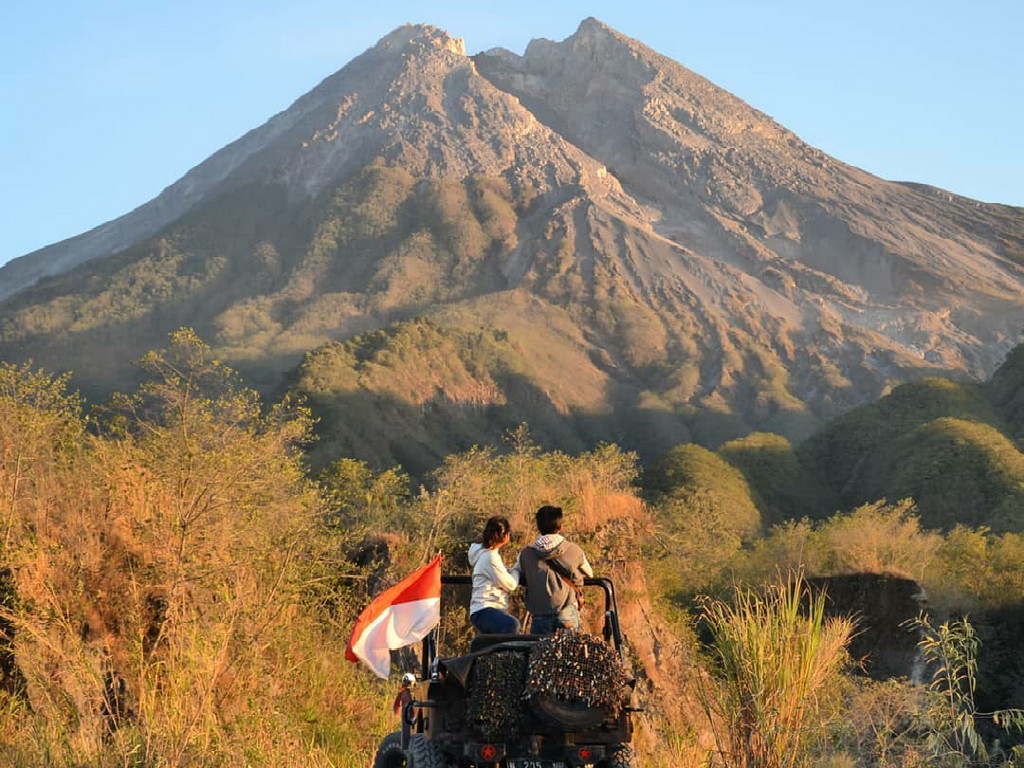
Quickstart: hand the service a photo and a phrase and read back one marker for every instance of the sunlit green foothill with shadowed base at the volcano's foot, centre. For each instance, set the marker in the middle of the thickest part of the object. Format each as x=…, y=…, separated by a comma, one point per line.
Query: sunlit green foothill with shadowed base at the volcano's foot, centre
x=465, y=375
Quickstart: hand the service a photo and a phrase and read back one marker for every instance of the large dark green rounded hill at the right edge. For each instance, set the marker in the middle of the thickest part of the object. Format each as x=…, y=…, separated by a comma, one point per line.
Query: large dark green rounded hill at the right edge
x=949, y=446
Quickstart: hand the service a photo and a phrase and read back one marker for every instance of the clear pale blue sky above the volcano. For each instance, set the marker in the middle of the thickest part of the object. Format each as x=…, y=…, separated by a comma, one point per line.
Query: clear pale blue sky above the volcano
x=107, y=103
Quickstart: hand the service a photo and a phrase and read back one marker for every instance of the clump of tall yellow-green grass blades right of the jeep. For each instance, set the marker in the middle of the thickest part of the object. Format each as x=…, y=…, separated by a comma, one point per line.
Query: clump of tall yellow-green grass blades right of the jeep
x=776, y=655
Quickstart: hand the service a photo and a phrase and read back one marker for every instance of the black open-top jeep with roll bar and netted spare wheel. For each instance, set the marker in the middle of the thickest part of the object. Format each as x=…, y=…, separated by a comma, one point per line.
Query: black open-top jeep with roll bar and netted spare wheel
x=520, y=701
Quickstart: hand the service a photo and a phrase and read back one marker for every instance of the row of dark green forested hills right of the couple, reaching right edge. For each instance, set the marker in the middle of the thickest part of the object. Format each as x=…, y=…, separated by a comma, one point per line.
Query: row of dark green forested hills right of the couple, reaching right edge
x=954, y=449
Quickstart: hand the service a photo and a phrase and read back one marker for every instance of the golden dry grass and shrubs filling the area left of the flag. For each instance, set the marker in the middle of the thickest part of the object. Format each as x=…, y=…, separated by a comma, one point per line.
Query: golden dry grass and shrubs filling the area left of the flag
x=167, y=606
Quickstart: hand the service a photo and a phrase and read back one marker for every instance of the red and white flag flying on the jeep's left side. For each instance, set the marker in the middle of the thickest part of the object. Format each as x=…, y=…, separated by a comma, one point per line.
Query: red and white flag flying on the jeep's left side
x=399, y=617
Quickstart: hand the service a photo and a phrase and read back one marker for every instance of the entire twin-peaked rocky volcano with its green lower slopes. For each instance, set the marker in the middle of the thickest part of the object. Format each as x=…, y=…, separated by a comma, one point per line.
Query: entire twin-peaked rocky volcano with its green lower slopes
x=594, y=240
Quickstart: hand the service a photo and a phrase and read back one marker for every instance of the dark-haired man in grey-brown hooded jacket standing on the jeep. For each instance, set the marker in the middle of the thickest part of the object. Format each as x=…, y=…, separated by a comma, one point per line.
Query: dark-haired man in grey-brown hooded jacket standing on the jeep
x=552, y=571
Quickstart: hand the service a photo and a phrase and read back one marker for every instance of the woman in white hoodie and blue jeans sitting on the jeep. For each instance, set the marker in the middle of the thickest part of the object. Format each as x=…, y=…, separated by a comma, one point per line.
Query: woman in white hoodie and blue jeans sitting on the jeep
x=493, y=583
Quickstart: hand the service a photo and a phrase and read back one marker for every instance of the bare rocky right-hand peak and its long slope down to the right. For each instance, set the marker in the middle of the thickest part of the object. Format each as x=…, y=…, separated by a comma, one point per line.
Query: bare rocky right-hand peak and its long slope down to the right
x=921, y=267
